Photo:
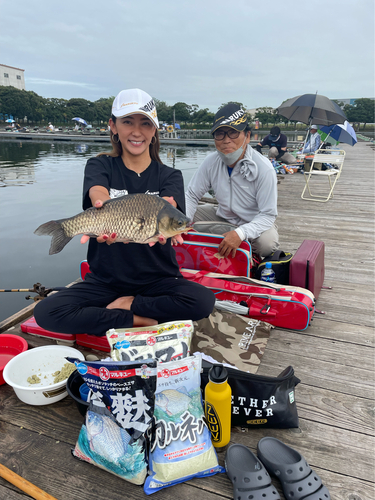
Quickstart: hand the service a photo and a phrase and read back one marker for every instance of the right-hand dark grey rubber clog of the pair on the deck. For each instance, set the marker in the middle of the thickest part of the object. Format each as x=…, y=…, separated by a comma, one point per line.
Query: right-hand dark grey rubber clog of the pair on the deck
x=297, y=478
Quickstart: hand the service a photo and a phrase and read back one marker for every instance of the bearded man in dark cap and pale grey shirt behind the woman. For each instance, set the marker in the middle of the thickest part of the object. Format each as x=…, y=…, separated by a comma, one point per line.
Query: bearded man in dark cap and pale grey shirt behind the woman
x=244, y=183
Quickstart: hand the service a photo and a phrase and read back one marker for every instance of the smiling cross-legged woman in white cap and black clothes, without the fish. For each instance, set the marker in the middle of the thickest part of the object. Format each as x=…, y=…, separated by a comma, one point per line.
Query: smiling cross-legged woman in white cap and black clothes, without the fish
x=129, y=285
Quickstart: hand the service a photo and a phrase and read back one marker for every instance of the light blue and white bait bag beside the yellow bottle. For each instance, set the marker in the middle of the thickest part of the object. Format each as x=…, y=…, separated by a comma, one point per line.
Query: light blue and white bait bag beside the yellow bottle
x=180, y=443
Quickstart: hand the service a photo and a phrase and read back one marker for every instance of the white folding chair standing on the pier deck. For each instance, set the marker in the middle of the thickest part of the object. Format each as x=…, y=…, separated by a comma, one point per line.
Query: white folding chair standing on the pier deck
x=335, y=158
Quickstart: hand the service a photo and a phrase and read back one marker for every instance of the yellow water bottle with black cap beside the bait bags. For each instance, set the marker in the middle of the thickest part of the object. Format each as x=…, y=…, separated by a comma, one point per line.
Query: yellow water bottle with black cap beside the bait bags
x=218, y=406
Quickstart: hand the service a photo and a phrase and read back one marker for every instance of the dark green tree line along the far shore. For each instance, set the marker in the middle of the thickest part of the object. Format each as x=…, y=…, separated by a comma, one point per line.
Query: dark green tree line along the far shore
x=21, y=104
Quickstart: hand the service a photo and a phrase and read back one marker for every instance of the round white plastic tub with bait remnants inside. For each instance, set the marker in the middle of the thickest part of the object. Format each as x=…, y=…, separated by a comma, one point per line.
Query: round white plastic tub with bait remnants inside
x=43, y=362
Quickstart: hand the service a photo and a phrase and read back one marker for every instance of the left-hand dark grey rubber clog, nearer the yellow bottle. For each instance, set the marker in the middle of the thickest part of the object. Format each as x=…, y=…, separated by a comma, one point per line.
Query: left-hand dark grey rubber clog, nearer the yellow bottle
x=250, y=479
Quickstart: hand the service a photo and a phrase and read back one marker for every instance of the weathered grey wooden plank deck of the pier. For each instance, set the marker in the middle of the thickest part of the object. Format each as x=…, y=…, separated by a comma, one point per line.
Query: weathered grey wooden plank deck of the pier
x=334, y=358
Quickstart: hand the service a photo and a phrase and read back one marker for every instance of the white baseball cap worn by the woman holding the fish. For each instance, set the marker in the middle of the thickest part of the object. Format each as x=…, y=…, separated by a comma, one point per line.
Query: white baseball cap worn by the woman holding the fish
x=135, y=101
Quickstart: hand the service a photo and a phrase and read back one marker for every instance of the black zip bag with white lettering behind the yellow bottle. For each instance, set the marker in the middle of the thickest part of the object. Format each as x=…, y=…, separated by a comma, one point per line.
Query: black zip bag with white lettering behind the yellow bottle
x=260, y=401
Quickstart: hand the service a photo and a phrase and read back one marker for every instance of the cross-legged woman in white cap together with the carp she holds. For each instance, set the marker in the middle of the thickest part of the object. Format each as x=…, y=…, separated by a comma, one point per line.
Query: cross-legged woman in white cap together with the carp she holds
x=129, y=197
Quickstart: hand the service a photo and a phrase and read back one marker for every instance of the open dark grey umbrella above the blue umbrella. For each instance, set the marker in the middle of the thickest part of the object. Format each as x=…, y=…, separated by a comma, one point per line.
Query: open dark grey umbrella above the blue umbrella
x=312, y=108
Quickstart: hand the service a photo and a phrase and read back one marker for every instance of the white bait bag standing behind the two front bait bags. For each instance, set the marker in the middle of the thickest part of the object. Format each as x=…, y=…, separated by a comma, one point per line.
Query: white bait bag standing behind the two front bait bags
x=165, y=342
